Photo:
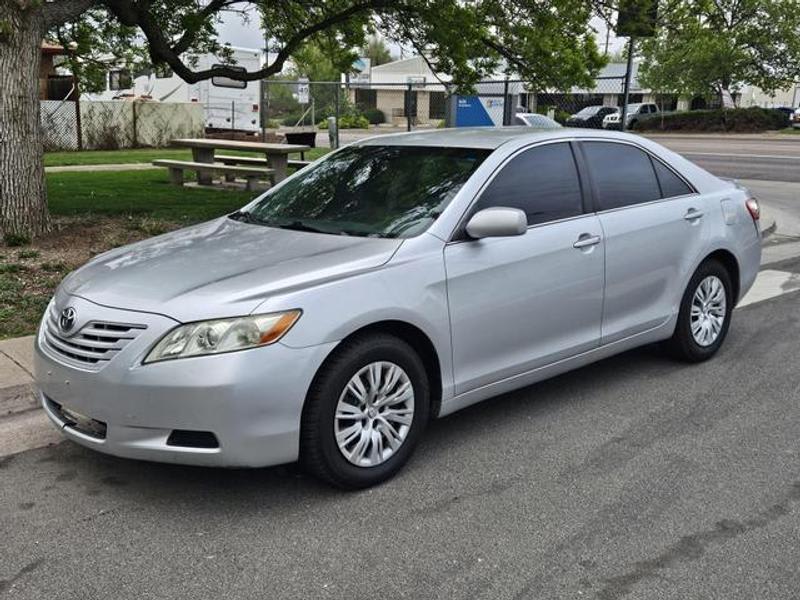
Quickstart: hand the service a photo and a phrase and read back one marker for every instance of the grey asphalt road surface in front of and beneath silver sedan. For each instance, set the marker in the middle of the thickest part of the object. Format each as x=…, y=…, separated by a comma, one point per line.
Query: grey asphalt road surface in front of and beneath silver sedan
x=635, y=478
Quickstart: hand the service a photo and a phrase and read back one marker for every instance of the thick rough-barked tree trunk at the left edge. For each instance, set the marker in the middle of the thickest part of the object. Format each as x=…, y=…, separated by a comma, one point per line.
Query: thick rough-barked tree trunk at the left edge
x=23, y=196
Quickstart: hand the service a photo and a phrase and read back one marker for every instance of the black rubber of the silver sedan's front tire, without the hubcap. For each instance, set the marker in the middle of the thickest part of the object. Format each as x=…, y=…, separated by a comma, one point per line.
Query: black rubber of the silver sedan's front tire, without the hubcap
x=319, y=451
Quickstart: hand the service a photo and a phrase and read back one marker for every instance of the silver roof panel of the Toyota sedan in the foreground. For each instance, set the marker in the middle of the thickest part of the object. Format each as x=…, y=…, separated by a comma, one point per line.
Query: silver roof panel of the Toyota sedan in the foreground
x=486, y=137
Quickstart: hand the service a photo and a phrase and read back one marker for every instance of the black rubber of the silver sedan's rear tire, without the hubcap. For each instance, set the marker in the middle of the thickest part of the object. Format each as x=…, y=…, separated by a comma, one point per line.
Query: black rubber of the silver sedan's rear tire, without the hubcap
x=682, y=345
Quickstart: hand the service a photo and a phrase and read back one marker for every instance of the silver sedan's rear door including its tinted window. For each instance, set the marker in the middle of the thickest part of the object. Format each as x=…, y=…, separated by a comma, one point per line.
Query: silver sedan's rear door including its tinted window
x=653, y=228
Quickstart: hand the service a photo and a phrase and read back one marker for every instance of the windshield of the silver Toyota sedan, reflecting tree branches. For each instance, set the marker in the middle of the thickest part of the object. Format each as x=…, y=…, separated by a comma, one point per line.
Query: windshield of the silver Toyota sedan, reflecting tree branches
x=375, y=191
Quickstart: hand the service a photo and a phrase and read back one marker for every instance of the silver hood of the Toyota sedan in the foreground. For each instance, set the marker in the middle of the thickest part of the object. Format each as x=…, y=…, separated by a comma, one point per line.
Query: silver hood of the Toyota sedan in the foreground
x=221, y=268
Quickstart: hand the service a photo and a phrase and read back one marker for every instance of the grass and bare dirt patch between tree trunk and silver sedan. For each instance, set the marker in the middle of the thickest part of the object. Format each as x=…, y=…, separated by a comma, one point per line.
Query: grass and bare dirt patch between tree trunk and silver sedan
x=94, y=212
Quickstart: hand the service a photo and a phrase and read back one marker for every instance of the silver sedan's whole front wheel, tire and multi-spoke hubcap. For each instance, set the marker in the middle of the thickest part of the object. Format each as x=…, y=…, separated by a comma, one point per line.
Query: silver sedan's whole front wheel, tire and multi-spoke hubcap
x=365, y=412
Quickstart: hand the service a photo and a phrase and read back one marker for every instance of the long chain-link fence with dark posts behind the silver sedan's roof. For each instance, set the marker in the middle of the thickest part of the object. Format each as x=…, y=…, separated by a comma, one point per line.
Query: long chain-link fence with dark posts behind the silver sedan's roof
x=361, y=108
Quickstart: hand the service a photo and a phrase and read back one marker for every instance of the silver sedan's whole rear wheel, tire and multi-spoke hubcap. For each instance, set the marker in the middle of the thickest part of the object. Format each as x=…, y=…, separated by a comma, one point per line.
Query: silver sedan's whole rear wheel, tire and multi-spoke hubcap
x=705, y=314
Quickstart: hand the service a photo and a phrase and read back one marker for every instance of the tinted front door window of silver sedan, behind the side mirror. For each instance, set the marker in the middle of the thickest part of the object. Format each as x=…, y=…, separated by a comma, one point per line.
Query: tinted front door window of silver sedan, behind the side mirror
x=542, y=182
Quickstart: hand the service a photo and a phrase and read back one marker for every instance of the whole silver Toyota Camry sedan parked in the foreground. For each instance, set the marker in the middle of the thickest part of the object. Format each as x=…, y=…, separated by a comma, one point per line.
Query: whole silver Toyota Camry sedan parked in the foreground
x=398, y=279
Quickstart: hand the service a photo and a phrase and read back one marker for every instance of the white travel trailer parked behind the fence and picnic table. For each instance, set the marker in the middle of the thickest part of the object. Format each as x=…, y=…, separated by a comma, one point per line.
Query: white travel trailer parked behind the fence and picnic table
x=228, y=104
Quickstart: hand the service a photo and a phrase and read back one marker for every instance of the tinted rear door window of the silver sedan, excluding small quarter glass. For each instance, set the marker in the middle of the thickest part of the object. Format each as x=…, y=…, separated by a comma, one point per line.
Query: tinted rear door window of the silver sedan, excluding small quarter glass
x=622, y=174
